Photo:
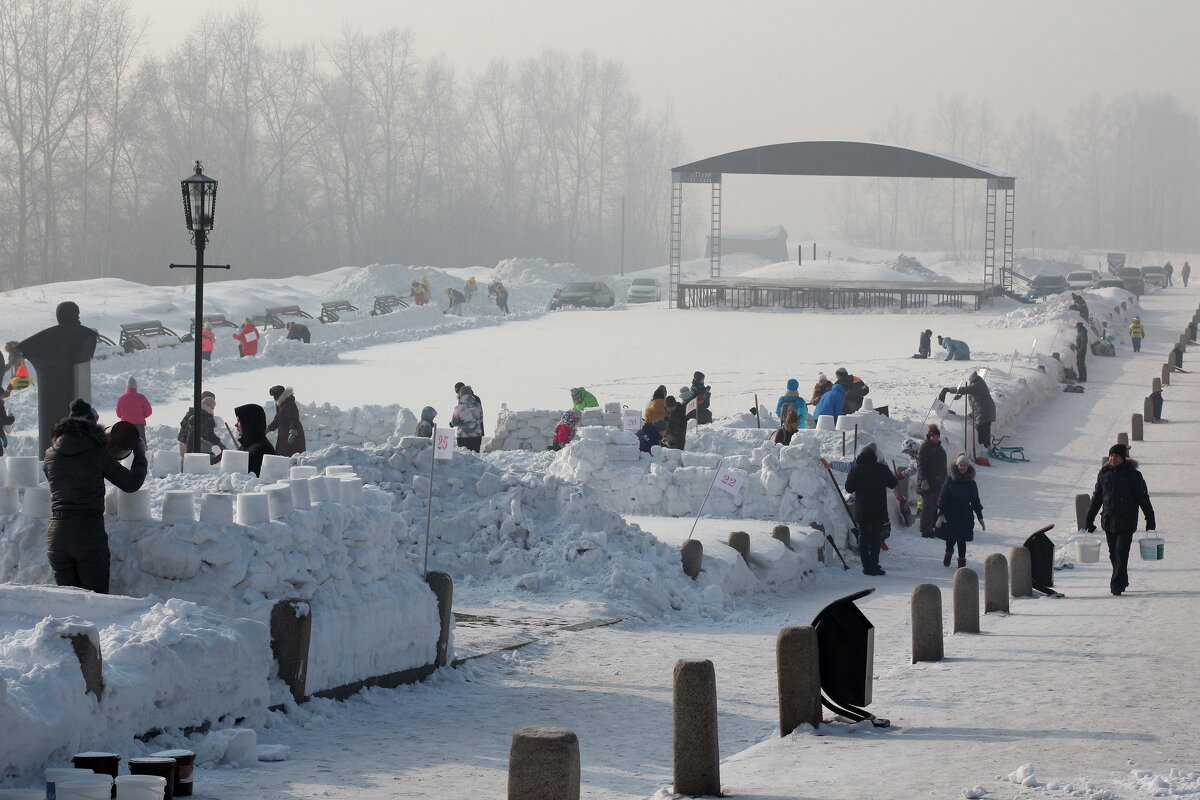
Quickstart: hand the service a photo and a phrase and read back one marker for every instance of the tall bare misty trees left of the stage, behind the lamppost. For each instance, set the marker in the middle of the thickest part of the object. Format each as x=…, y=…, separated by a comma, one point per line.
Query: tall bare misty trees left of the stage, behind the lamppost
x=350, y=151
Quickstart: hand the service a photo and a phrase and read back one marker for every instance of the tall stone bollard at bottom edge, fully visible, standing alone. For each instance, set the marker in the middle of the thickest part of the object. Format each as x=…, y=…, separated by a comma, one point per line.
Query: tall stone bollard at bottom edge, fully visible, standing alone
x=698, y=755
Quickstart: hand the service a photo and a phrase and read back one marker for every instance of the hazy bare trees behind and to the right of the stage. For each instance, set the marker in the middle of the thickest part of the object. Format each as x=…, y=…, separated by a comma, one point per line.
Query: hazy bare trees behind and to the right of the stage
x=1112, y=173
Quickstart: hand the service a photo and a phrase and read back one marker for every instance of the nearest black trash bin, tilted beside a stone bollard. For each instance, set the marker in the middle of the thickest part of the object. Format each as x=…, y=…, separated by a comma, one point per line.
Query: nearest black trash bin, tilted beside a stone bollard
x=847, y=646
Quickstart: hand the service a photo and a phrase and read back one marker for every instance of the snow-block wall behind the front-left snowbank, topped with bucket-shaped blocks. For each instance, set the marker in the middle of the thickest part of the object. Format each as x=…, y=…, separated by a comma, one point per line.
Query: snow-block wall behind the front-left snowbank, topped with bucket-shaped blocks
x=355, y=564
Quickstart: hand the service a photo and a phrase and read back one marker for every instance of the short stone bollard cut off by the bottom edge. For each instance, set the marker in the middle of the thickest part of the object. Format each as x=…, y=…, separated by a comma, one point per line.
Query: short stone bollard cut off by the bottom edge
x=544, y=765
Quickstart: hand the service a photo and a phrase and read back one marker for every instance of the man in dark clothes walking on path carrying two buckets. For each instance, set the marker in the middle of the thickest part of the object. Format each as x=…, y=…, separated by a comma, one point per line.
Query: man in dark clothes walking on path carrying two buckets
x=1120, y=492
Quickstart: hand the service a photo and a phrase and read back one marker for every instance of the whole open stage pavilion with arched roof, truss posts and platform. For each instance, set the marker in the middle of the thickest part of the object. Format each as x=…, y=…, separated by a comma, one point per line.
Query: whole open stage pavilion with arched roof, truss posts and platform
x=850, y=160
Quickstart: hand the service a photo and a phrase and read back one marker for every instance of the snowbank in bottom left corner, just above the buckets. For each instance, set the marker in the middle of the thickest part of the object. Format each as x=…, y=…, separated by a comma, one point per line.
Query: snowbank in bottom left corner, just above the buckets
x=165, y=665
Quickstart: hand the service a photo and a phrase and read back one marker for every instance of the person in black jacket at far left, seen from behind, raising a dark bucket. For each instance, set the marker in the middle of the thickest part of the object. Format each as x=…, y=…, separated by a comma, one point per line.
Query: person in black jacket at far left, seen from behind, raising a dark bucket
x=77, y=465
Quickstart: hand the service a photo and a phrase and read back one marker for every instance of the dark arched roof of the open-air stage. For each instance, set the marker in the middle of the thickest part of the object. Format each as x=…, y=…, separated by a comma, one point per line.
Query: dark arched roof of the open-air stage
x=844, y=159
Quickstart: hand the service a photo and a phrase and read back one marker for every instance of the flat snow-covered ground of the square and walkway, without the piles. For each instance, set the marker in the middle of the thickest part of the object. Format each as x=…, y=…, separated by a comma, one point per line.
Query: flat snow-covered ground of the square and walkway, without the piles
x=1088, y=688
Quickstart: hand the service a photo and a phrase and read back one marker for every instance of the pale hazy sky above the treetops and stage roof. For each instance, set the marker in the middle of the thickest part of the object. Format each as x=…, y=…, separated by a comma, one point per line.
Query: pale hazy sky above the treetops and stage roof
x=740, y=75
